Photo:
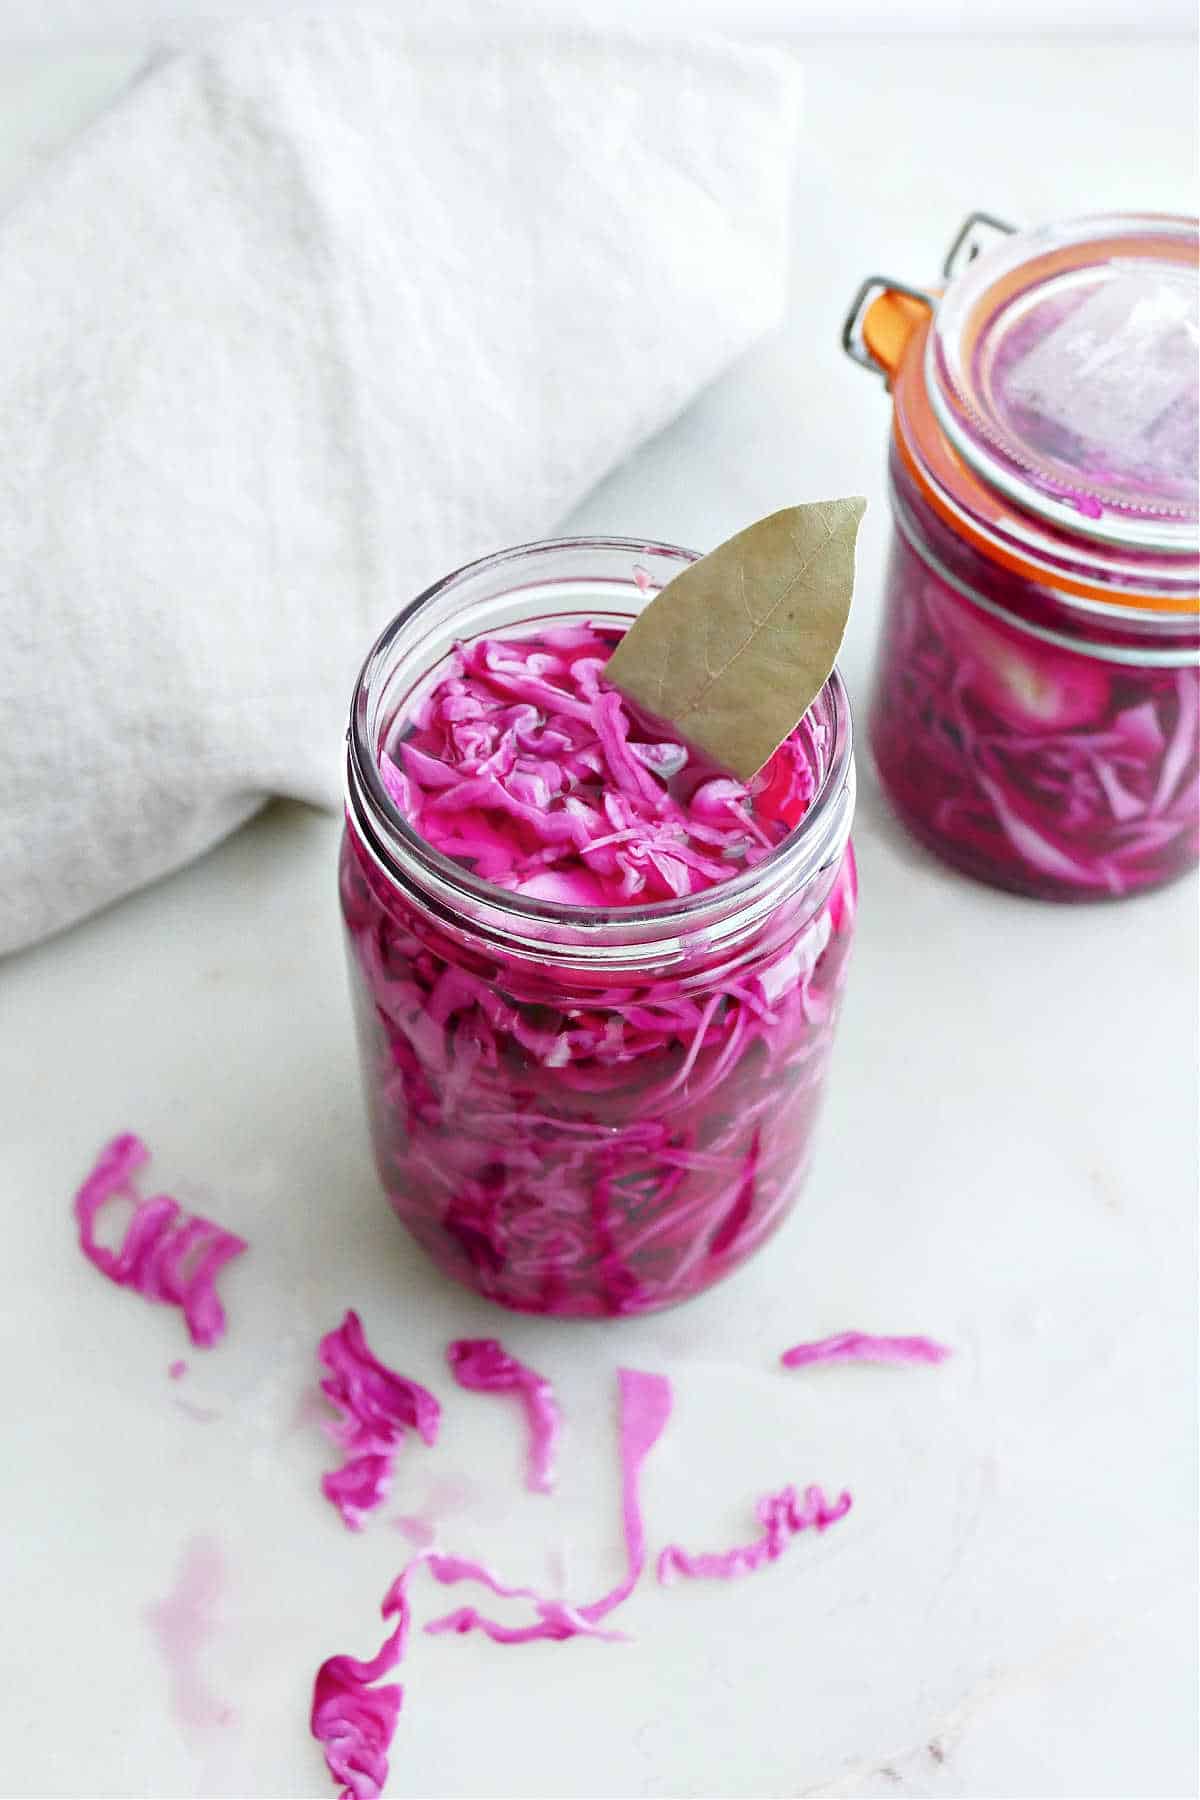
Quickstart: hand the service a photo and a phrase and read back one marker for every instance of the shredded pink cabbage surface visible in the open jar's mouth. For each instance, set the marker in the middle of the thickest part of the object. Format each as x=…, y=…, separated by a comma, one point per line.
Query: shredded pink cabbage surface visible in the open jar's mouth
x=521, y=766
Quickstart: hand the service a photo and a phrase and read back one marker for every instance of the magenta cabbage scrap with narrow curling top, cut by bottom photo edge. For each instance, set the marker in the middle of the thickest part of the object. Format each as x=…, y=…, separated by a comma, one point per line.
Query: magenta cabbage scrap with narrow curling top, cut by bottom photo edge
x=355, y=1722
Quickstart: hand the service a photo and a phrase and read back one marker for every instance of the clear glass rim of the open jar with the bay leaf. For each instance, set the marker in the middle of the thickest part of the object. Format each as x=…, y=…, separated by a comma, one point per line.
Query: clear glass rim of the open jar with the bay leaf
x=402, y=852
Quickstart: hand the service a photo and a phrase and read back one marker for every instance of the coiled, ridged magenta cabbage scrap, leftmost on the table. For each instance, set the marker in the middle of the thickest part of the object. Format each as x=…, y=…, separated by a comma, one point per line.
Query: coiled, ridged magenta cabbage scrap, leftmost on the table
x=166, y=1254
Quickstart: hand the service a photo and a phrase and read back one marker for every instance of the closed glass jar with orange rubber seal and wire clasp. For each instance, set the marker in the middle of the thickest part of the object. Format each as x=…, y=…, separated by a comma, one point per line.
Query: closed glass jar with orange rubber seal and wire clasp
x=1037, y=701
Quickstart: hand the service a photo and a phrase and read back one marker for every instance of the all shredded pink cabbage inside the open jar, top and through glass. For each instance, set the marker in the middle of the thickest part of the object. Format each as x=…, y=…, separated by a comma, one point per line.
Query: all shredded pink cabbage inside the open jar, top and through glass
x=587, y=1144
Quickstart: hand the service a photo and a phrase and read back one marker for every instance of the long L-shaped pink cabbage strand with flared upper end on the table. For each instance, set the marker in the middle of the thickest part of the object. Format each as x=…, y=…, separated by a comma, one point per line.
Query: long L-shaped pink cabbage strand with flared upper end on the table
x=645, y=1410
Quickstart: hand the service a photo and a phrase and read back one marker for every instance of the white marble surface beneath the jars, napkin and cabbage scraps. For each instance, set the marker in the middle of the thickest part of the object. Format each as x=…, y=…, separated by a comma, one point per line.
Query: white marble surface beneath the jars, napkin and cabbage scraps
x=1008, y=1162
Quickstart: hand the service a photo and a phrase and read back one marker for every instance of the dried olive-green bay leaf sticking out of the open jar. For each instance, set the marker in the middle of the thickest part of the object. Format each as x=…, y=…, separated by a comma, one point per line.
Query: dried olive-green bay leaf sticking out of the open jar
x=737, y=649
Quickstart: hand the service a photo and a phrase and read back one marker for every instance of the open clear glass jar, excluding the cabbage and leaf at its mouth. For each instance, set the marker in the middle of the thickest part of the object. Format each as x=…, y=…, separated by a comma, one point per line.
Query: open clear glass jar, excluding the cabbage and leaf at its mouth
x=586, y=1111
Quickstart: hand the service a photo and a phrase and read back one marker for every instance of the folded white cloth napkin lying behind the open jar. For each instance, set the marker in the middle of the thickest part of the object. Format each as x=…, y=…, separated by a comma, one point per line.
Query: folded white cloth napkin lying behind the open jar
x=310, y=318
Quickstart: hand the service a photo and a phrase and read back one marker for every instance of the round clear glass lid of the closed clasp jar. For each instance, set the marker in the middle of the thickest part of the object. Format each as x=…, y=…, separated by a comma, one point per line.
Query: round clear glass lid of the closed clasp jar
x=1062, y=364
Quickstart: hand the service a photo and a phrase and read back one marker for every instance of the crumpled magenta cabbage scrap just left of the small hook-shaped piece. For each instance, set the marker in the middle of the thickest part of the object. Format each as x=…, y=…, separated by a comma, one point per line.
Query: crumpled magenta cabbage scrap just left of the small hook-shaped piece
x=377, y=1410
